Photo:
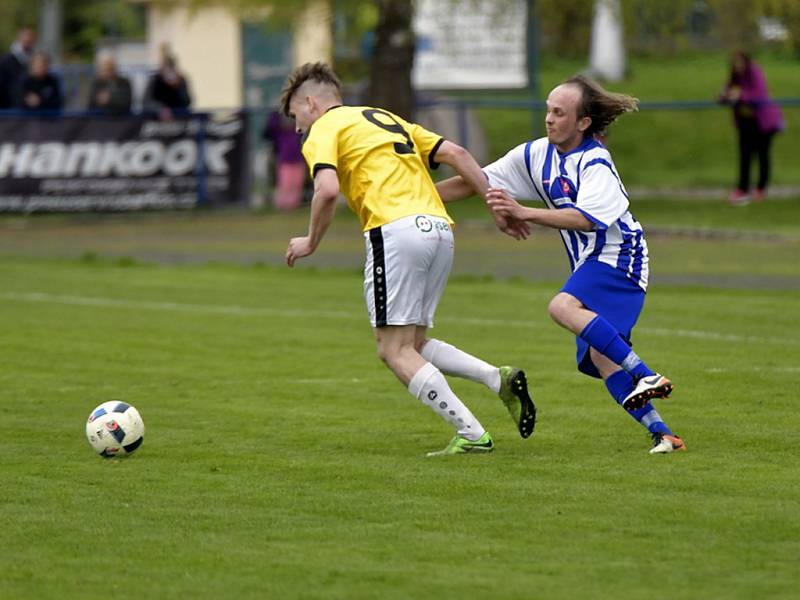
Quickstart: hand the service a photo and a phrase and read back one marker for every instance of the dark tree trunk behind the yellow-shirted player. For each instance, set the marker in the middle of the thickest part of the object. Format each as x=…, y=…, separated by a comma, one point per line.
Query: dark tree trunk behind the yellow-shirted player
x=393, y=57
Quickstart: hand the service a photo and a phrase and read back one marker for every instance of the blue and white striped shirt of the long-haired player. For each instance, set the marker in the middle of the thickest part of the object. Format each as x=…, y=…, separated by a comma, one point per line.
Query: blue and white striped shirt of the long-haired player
x=584, y=179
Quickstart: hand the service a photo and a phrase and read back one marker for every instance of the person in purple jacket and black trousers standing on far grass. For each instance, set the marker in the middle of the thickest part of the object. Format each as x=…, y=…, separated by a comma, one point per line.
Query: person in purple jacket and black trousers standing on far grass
x=757, y=120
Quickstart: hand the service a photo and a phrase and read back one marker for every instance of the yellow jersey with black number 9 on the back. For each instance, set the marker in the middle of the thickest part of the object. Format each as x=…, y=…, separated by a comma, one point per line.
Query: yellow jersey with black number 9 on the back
x=381, y=161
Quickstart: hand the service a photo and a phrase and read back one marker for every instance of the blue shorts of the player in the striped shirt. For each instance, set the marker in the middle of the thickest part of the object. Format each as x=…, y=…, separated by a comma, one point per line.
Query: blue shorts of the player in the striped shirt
x=608, y=292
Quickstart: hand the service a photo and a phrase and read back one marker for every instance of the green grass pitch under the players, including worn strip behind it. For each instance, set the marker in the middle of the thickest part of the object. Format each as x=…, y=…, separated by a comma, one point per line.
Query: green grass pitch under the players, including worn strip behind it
x=282, y=460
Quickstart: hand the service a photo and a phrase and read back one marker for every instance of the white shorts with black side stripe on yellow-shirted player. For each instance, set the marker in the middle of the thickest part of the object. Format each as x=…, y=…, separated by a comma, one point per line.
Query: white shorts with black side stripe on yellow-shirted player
x=408, y=263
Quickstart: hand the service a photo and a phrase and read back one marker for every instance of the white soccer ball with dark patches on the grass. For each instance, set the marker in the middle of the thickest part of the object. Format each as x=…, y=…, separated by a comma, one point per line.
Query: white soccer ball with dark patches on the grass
x=115, y=429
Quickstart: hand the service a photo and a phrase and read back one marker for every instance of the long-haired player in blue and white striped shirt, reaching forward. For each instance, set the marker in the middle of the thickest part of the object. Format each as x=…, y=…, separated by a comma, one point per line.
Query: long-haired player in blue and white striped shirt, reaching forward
x=572, y=173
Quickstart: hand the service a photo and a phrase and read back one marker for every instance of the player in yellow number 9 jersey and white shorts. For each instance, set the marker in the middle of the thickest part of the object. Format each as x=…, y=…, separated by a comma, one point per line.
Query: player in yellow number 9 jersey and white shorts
x=380, y=163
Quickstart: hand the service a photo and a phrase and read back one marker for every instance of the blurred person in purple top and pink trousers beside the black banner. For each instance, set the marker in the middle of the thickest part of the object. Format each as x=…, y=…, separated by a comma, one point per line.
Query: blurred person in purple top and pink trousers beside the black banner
x=290, y=168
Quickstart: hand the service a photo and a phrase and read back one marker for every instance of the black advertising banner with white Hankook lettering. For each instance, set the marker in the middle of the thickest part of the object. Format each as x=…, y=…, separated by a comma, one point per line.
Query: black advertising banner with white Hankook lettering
x=85, y=163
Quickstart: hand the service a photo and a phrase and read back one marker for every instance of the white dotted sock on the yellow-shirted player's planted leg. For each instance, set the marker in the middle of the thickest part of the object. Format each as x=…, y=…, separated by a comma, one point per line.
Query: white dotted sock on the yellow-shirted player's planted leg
x=430, y=387
